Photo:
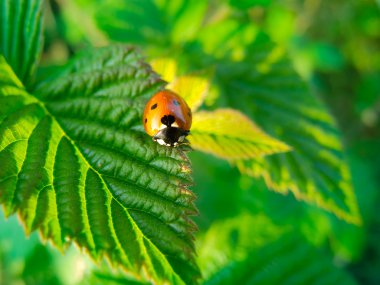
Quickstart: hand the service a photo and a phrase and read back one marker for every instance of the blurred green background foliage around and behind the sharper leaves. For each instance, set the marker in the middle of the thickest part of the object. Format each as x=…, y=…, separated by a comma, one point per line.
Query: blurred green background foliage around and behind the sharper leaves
x=334, y=45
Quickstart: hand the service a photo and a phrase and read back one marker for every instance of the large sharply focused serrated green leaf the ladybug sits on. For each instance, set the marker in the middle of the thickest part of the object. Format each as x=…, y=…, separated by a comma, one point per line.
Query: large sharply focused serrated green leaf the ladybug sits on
x=78, y=167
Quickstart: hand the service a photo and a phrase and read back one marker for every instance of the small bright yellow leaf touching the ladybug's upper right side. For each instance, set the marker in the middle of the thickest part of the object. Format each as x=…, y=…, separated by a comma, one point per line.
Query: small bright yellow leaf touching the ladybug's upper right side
x=192, y=88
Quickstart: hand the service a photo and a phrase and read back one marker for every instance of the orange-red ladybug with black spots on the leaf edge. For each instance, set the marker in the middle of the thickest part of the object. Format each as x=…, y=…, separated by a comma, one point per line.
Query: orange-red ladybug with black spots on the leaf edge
x=167, y=118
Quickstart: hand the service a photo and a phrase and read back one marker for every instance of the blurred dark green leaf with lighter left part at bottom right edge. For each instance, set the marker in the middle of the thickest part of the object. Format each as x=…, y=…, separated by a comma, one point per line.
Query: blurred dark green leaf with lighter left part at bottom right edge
x=251, y=249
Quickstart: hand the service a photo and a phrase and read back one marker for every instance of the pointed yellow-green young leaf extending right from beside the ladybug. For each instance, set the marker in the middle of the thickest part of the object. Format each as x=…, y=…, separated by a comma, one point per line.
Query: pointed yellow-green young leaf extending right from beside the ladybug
x=231, y=135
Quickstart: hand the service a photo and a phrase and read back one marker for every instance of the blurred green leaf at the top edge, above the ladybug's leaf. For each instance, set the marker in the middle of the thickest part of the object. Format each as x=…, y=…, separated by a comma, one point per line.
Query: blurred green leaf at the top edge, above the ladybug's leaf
x=156, y=22
